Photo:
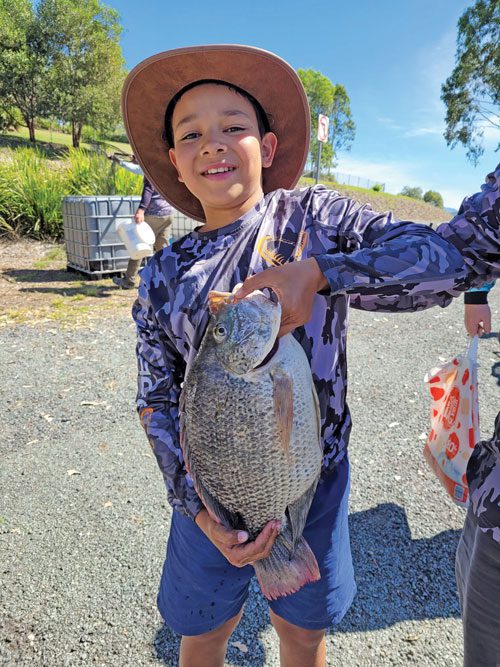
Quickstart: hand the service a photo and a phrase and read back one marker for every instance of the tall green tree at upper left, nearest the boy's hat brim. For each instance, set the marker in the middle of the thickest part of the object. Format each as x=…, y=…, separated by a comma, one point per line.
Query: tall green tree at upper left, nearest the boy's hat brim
x=86, y=62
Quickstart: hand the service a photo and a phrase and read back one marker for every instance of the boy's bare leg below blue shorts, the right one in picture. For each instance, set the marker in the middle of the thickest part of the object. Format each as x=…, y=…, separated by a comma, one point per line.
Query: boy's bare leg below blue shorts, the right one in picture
x=299, y=647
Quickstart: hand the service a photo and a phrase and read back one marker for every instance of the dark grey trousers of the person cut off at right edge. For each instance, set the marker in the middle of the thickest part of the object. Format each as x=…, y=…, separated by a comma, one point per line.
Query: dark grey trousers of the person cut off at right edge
x=477, y=568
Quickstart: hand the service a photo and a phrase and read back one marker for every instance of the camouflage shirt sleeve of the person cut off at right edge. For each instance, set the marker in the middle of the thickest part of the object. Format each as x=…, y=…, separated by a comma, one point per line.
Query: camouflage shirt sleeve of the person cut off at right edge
x=475, y=231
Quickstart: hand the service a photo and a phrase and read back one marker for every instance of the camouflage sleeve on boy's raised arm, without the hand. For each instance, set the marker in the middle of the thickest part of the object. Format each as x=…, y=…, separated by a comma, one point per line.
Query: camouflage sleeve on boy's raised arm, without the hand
x=384, y=262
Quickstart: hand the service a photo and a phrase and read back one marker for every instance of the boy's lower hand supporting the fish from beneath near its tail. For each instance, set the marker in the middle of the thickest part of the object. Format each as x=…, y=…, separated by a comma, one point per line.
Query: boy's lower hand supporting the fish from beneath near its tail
x=233, y=544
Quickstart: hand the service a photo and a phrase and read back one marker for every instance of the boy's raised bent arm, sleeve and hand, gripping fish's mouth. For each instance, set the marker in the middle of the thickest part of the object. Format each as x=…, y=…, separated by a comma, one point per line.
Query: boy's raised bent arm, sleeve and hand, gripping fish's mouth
x=400, y=265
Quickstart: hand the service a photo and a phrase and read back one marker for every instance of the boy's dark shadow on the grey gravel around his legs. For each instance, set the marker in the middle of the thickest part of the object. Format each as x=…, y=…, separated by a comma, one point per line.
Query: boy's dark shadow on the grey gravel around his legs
x=399, y=579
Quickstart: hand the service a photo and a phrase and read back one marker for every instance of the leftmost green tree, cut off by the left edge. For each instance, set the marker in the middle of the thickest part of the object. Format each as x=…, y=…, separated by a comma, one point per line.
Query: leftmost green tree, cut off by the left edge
x=23, y=62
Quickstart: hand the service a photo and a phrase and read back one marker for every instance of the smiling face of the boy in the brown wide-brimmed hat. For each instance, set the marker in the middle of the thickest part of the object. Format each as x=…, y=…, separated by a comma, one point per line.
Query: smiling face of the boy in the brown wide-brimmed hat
x=219, y=154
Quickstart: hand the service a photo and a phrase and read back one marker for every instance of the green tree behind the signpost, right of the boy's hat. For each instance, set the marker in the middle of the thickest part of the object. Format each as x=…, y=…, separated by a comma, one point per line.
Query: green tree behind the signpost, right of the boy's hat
x=331, y=100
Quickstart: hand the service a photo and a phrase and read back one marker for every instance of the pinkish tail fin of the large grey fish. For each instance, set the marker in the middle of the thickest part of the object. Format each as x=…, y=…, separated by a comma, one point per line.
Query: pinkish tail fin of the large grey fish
x=282, y=572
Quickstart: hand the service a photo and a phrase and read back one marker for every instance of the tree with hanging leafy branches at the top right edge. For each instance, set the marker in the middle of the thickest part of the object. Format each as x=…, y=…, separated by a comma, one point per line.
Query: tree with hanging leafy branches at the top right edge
x=472, y=92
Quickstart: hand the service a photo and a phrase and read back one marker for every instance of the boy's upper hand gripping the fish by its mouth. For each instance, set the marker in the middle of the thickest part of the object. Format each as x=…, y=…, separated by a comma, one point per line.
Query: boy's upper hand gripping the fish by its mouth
x=295, y=284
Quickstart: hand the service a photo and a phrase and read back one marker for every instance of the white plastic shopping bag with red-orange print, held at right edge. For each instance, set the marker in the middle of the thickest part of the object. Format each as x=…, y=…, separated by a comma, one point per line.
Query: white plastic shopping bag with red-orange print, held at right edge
x=454, y=421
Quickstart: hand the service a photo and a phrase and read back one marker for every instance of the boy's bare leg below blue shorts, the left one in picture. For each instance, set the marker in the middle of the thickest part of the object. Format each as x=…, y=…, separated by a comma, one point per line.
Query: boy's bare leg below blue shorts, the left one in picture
x=209, y=649
